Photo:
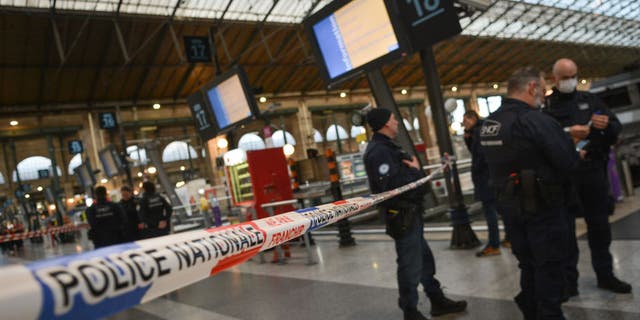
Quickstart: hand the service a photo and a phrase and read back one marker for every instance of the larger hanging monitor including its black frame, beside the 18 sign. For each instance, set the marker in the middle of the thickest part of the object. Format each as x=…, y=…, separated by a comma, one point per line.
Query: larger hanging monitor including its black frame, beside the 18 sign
x=351, y=36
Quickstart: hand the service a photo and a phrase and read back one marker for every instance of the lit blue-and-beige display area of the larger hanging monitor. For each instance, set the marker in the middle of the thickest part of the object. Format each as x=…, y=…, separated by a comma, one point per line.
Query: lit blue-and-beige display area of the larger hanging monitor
x=354, y=35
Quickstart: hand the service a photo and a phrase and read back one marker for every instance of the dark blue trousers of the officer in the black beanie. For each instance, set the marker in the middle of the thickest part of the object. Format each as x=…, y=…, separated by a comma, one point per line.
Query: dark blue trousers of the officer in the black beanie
x=415, y=265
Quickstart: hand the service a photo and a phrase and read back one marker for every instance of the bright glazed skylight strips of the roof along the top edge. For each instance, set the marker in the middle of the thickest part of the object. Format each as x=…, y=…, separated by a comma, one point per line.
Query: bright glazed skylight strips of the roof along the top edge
x=598, y=22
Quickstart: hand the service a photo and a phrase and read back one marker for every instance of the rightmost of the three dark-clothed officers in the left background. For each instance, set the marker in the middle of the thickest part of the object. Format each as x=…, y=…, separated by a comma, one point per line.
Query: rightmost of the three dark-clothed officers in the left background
x=155, y=212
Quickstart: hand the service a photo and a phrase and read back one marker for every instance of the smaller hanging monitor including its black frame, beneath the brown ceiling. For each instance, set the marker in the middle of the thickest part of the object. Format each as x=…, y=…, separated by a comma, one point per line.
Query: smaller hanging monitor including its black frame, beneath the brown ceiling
x=230, y=100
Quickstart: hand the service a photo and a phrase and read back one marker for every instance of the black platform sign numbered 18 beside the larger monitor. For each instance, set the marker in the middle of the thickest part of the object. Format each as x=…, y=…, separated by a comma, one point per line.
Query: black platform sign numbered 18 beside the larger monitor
x=425, y=22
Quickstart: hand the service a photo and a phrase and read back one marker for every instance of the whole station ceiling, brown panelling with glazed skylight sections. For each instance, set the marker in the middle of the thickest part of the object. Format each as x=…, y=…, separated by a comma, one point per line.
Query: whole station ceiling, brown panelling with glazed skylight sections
x=65, y=56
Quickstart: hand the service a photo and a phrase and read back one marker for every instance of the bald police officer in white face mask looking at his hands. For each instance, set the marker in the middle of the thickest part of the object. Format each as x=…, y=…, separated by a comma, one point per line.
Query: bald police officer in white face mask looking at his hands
x=594, y=129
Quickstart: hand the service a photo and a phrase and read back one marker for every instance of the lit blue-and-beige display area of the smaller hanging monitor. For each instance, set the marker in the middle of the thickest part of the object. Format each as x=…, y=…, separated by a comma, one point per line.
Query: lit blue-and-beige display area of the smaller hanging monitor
x=229, y=102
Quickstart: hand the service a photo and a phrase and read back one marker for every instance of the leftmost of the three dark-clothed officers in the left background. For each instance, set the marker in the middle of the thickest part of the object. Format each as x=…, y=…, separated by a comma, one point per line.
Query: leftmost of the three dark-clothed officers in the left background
x=107, y=219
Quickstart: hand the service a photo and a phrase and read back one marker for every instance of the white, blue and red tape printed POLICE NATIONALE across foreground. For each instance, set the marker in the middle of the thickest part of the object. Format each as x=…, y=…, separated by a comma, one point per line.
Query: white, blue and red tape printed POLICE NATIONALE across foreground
x=105, y=281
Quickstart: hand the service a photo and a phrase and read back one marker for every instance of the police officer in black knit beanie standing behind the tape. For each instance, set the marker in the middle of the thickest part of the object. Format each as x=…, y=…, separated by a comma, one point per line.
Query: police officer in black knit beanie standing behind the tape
x=389, y=167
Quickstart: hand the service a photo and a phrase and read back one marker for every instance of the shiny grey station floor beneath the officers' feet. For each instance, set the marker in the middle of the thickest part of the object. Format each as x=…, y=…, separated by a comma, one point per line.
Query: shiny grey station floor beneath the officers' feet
x=360, y=282
